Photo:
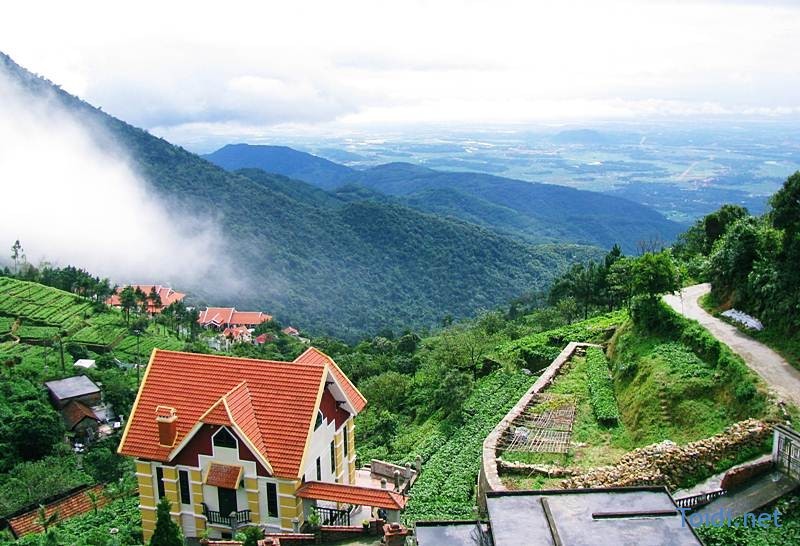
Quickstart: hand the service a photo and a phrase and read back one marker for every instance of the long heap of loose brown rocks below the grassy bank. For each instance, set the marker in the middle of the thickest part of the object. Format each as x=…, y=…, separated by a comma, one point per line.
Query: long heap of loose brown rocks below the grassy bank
x=669, y=464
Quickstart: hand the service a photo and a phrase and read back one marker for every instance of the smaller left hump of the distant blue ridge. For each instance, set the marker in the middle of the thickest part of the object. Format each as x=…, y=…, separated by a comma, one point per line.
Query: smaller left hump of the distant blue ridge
x=281, y=160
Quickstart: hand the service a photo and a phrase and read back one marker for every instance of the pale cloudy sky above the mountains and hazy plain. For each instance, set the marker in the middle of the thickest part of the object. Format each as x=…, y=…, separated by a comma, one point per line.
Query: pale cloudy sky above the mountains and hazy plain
x=190, y=71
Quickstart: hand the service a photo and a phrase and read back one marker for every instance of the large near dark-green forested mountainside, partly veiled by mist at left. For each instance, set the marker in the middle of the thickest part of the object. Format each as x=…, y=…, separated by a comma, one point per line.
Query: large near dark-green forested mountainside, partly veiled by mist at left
x=312, y=258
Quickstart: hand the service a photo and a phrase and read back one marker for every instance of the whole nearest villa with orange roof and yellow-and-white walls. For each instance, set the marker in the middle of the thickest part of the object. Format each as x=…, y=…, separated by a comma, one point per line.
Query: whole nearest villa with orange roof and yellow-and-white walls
x=233, y=442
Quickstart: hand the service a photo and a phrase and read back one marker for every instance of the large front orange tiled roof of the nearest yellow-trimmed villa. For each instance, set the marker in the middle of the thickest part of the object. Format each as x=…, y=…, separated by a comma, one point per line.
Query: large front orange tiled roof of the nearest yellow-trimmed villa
x=272, y=403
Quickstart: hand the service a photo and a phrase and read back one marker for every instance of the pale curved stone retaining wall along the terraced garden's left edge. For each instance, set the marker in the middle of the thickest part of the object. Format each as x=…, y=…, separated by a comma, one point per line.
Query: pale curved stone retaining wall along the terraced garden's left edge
x=488, y=478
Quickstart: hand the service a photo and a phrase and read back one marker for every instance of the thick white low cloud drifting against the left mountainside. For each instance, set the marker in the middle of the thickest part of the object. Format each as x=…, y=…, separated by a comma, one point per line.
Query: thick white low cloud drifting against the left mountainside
x=71, y=198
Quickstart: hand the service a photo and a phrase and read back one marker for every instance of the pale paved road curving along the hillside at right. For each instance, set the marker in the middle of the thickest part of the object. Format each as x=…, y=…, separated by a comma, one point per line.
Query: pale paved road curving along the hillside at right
x=779, y=375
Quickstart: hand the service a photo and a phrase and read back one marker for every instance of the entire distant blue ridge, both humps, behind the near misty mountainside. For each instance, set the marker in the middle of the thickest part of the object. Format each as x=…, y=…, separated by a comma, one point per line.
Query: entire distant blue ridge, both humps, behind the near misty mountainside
x=532, y=212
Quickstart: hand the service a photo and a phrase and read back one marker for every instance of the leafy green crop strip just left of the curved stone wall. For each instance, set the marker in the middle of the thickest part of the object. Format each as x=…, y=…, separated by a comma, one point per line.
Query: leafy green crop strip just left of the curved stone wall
x=446, y=487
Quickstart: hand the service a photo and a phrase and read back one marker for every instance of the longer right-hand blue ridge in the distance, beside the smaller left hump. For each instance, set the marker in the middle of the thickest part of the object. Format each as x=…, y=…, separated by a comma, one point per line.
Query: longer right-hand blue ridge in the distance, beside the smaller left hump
x=536, y=212
